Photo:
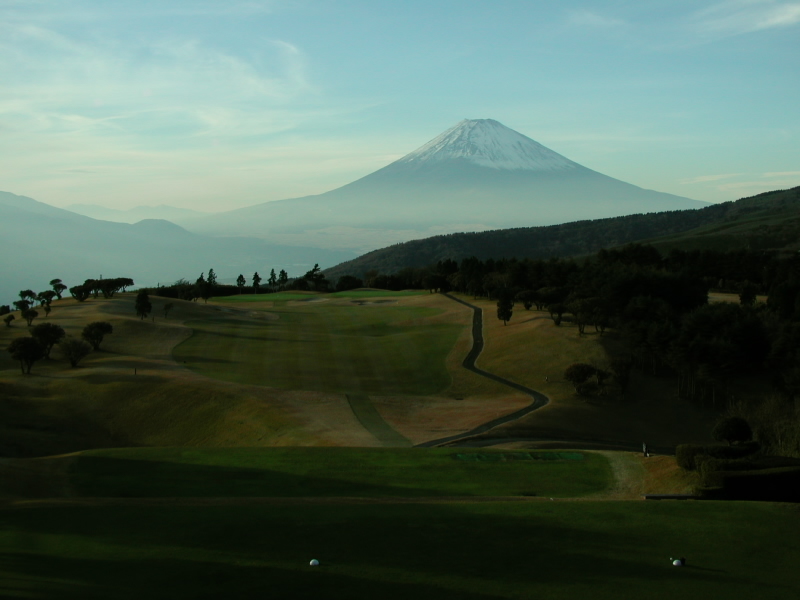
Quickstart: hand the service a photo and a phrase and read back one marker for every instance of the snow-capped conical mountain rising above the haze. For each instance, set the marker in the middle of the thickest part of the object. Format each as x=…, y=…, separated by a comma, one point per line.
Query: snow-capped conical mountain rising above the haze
x=476, y=176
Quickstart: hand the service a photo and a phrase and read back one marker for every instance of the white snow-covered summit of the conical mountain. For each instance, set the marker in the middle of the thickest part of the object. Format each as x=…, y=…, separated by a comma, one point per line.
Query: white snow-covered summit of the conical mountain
x=487, y=143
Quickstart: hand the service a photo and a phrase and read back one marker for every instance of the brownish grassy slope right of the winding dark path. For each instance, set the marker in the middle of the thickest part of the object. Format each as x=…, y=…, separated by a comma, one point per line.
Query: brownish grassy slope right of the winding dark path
x=531, y=348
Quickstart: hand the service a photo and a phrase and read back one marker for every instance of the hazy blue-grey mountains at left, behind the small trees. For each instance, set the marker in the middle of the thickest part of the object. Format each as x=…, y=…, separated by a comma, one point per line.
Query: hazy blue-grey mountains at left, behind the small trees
x=39, y=242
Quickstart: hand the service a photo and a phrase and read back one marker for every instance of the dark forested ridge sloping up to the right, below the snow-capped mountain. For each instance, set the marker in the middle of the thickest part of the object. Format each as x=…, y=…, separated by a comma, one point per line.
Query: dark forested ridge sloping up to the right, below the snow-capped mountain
x=769, y=222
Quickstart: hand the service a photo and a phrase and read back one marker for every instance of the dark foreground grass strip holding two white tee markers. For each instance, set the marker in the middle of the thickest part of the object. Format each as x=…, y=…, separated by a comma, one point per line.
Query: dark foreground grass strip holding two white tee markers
x=480, y=551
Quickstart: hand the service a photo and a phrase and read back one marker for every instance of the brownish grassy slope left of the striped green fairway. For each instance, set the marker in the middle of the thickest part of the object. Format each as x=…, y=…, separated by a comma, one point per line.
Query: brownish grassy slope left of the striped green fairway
x=103, y=403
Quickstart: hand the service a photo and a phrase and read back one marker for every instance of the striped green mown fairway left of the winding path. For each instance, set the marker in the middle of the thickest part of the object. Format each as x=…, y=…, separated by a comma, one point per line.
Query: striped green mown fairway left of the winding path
x=361, y=349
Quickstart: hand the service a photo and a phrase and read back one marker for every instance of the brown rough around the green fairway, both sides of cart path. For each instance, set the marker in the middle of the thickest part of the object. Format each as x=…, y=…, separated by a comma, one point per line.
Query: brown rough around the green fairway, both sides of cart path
x=134, y=393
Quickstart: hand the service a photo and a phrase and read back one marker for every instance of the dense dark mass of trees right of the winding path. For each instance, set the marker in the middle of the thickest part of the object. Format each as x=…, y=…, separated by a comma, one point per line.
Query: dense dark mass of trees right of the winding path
x=658, y=304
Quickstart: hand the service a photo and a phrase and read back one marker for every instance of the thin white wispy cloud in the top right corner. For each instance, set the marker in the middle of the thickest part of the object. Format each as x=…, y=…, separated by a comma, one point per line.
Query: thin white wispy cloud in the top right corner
x=735, y=17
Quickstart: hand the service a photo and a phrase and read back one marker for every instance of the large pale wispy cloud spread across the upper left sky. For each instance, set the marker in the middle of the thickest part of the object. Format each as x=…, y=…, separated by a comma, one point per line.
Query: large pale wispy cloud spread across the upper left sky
x=163, y=89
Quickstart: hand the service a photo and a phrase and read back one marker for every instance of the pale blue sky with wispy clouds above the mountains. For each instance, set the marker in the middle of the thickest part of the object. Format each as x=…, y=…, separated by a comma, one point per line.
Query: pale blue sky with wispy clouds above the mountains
x=217, y=105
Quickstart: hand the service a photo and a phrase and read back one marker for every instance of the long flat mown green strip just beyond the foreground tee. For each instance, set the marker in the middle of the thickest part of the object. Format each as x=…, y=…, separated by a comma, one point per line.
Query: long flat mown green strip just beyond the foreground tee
x=326, y=472
